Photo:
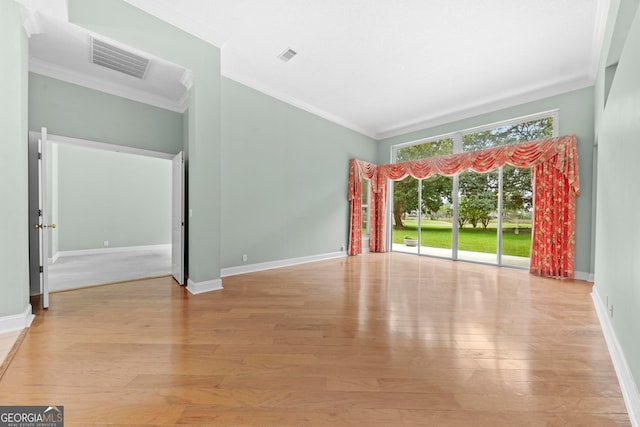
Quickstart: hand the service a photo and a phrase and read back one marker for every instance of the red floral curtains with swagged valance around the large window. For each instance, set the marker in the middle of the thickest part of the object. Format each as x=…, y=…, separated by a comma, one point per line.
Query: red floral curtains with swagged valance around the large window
x=556, y=185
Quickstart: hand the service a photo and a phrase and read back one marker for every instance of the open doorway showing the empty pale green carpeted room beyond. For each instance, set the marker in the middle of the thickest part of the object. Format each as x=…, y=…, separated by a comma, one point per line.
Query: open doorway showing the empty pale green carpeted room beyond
x=115, y=210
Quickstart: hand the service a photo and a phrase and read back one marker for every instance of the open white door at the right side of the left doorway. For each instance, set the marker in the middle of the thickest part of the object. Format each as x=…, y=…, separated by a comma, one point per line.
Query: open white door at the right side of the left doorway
x=177, y=218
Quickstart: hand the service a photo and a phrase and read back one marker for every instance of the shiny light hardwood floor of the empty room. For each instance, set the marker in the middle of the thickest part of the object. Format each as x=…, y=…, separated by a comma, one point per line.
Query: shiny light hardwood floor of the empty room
x=378, y=340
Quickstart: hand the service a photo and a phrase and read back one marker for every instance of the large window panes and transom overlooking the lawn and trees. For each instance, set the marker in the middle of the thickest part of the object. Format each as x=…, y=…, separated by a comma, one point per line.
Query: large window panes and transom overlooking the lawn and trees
x=472, y=216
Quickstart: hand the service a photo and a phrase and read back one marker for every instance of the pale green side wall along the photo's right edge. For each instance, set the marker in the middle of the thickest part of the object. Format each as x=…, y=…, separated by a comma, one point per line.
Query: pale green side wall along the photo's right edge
x=617, y=271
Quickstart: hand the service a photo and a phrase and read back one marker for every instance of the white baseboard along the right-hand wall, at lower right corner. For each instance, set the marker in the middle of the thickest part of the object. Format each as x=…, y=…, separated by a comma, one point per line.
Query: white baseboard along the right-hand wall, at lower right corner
x=628, y=386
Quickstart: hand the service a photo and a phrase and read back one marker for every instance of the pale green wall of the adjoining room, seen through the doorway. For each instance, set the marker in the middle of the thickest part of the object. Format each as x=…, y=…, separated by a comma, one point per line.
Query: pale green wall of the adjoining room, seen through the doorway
x=124, y=199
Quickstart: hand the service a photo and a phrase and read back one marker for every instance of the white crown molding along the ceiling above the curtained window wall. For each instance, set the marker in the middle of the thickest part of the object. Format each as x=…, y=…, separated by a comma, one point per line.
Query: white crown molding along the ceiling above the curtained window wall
x=499, y=103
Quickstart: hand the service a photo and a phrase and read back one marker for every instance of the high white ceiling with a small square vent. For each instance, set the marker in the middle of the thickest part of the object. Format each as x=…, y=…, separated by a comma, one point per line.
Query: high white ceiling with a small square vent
x=386, y=67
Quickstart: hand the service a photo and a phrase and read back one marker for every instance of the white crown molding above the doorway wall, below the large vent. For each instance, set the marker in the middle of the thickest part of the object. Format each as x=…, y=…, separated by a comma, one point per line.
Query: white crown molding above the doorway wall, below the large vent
x=50, y=70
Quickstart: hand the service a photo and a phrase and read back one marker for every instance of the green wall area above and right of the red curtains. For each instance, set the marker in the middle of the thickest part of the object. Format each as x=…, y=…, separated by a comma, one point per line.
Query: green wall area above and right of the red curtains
x=576, y=117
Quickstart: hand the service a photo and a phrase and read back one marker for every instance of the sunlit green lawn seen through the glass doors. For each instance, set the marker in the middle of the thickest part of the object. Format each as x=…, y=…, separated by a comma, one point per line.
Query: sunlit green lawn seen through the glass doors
x=437, y=234
